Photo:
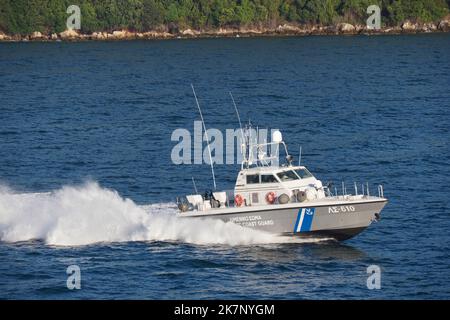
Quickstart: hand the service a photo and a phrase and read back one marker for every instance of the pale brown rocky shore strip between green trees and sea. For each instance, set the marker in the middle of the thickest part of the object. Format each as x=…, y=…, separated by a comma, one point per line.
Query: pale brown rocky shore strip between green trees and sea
x=281, y=30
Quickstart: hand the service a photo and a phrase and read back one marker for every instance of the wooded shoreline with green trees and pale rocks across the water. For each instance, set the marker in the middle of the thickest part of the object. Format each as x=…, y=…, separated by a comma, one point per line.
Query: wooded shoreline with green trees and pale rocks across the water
x=56, y=20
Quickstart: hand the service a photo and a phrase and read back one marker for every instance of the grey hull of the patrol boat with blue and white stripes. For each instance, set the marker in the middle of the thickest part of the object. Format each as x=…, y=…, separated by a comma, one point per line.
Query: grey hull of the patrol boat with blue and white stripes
x=340, y=220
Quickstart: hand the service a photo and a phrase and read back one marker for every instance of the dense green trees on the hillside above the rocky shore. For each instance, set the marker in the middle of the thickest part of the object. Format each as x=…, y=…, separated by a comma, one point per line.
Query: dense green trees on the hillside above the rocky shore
x=48, y=16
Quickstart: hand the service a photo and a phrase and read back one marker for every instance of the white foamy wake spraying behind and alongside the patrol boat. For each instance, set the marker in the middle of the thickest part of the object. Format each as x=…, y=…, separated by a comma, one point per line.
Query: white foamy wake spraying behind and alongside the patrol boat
x=86, y=214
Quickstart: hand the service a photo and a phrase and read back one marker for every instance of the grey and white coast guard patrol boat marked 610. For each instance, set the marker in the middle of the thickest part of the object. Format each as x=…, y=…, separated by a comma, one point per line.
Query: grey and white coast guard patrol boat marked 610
x=285, y=199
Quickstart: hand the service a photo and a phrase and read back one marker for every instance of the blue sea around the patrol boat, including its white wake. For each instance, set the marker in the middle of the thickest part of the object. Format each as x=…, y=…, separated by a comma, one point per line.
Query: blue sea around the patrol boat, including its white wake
x=86, y=126
